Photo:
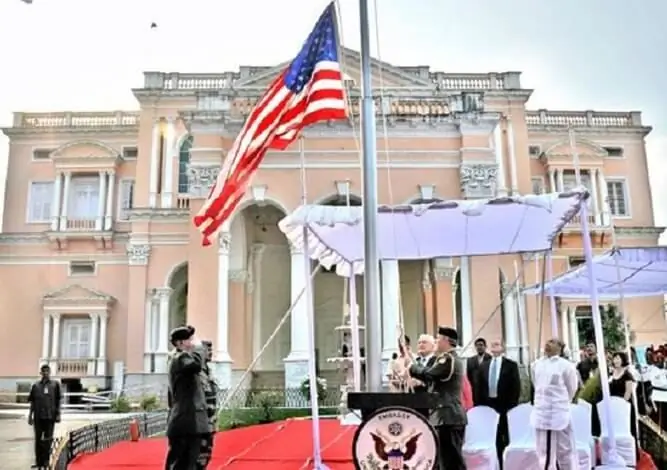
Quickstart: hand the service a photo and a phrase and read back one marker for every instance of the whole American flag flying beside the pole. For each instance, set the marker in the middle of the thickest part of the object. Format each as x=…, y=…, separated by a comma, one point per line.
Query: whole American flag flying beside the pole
x=309, y=90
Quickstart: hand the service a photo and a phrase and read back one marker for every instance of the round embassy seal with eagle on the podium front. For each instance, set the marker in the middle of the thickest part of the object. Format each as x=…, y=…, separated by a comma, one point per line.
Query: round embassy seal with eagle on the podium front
x=395, y=438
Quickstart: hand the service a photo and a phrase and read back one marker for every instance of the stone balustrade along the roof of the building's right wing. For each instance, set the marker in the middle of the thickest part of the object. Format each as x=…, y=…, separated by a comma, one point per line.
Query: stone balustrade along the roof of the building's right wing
x=546, y=118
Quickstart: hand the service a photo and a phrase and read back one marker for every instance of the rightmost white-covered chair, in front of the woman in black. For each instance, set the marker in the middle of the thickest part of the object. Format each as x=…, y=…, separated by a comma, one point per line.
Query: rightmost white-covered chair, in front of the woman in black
x=625, y=443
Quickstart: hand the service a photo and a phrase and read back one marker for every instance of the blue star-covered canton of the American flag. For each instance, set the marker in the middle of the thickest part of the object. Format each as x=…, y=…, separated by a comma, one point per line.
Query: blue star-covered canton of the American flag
x=321, y=45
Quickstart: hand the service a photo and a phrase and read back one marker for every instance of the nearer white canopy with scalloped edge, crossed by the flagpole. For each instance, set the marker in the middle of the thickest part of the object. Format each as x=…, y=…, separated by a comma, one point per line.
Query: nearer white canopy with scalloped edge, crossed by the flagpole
x=443, y=229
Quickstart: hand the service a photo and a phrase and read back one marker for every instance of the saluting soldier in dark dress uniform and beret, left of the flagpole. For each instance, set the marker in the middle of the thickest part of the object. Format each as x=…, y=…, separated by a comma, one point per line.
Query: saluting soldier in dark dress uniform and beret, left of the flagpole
x=188, y=422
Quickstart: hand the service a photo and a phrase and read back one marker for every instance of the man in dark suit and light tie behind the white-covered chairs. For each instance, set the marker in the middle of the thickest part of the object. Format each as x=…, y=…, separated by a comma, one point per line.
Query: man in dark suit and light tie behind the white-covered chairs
x=500, y=385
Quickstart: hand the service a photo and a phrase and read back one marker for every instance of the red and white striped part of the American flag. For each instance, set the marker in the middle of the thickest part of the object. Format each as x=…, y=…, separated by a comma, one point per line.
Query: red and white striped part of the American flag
x=274, y=123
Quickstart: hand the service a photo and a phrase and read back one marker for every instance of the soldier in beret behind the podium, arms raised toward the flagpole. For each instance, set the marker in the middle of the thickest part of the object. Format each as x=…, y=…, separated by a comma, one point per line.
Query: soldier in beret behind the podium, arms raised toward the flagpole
x=443, y=379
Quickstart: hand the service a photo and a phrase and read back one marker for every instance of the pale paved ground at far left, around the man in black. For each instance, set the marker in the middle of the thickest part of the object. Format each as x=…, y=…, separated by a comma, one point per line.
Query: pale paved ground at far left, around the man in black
x=16, y=439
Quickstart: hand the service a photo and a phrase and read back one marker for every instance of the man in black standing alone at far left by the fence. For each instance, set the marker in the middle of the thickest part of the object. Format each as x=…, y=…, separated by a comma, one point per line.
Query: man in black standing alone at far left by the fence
x=44, y=399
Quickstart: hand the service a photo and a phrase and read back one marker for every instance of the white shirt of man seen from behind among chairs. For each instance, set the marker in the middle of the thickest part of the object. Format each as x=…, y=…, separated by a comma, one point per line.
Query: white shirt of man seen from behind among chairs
x=555, y=381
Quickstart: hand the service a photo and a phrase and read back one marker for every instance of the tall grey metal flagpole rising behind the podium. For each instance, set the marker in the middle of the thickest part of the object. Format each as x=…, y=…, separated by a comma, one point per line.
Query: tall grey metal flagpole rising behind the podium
x=370, y=207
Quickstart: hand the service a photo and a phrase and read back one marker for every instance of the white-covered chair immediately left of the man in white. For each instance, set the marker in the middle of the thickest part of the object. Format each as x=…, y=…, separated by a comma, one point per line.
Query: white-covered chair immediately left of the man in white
x=521, y=452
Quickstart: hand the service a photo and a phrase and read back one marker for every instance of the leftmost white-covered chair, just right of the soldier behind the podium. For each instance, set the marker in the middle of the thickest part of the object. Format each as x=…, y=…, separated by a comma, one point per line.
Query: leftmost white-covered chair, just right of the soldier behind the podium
x=479, y=448
